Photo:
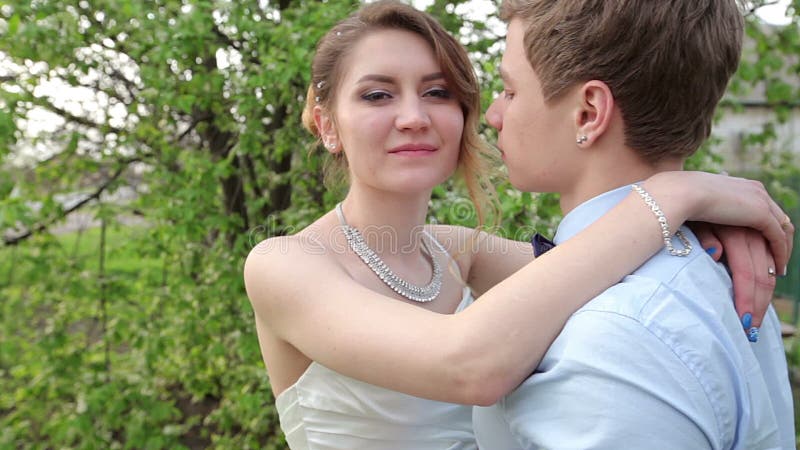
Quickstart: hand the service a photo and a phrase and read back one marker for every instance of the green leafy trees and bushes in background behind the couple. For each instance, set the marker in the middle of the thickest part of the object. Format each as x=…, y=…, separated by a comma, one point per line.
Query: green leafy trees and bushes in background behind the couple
x=138, y=334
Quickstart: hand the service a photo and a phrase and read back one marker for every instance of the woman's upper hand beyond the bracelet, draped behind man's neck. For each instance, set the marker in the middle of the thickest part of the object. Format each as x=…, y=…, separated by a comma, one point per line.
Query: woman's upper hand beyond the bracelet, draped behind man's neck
x=726, y=200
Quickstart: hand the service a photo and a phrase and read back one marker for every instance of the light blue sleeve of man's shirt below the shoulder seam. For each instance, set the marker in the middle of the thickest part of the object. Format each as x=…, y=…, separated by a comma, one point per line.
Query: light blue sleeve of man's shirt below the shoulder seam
x=608, y=383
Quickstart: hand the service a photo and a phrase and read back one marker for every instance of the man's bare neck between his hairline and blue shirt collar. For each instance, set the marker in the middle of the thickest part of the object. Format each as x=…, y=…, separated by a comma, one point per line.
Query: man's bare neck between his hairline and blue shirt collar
x=598, y=180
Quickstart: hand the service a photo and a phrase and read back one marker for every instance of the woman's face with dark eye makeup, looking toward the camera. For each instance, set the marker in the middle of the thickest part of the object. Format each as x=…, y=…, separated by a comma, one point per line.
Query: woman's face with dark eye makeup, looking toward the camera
x=395, y=117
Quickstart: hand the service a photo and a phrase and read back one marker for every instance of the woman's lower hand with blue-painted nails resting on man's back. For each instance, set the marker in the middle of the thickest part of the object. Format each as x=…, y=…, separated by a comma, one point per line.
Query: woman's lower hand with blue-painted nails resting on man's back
x=745, y=251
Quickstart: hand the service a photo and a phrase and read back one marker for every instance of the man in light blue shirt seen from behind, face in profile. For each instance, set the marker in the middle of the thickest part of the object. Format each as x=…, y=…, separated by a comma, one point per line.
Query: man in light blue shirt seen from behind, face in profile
x=600, y=94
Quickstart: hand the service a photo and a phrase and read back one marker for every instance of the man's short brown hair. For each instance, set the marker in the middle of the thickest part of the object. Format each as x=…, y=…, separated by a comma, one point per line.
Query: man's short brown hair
x=667, y=62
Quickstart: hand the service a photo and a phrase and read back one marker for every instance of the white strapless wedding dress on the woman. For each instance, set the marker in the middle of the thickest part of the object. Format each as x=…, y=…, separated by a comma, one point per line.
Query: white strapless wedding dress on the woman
x=325, y=410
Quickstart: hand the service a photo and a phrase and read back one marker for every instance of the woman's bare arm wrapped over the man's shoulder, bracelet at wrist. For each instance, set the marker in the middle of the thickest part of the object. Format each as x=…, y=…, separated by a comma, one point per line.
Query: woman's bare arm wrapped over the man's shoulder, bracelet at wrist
x=480, y=354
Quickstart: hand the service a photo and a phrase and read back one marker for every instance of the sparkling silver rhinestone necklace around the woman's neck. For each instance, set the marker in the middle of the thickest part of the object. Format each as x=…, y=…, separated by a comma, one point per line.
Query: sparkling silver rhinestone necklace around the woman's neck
x=410, y=291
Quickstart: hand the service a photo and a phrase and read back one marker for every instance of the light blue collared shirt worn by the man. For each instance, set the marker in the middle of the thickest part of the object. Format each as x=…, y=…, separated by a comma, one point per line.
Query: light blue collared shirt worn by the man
x=659, y=360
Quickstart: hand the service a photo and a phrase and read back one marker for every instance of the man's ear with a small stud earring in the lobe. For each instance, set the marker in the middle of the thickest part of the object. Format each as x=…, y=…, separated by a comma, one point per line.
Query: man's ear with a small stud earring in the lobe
x=595, y=111
